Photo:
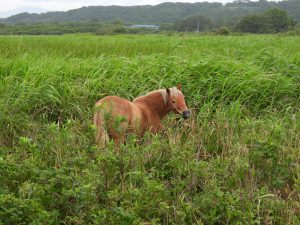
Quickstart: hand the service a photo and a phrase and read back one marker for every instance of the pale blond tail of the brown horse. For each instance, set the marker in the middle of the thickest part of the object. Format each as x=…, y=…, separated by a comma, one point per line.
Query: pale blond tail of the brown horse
x=101, y=137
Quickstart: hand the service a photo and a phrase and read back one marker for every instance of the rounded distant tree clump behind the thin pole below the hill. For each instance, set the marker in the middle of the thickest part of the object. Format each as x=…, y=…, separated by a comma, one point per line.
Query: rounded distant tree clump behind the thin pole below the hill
x=193, y=23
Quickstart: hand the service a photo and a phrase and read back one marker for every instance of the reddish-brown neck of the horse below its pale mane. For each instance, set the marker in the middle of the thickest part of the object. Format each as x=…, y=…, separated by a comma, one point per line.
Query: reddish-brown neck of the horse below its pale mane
x=156, y=104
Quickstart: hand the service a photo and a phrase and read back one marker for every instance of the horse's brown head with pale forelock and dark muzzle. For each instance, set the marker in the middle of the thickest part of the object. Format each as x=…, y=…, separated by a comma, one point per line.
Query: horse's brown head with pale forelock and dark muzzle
x=175, y=99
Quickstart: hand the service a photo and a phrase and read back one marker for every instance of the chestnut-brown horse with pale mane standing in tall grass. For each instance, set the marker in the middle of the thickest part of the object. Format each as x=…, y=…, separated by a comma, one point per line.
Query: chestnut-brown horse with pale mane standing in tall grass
x=115, y=116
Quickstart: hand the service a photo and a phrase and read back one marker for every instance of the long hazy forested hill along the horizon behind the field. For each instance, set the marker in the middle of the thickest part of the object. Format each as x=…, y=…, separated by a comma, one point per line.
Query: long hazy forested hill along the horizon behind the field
x=162, y=13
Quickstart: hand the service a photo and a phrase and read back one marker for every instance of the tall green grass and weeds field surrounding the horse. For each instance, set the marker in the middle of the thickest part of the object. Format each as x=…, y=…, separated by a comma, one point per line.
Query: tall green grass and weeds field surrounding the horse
x=236, y=161
